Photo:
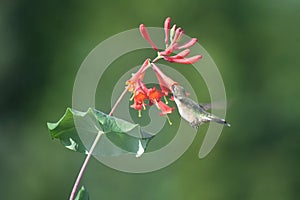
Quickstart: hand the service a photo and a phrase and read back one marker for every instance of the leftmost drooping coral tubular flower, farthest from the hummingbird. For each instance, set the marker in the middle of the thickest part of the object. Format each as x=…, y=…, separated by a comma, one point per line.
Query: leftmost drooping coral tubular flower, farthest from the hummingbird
x=138, y=76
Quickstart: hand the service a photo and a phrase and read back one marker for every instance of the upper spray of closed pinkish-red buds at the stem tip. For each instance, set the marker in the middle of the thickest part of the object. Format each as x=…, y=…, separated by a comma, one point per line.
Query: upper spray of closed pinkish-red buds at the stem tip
x=172, y=37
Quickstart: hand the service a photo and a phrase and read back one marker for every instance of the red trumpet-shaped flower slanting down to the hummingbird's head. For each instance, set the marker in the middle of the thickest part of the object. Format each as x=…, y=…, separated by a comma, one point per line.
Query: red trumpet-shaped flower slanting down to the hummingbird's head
x=165, y=82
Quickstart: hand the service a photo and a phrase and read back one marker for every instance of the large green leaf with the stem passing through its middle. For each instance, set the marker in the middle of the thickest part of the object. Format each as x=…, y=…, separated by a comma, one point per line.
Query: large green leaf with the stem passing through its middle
x=119, y=136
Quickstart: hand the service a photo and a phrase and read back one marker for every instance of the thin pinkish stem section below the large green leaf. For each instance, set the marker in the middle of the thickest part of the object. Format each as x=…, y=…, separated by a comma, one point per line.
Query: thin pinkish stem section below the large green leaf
x=83, y=167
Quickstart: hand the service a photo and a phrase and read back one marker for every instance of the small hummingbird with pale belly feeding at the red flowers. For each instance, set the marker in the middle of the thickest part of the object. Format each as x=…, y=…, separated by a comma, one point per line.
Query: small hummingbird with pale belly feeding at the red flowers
x=191, y=111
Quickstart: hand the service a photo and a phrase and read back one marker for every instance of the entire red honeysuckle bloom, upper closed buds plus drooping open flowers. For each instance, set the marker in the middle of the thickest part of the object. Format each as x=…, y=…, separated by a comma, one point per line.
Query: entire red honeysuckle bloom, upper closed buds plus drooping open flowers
x=144, y=96
